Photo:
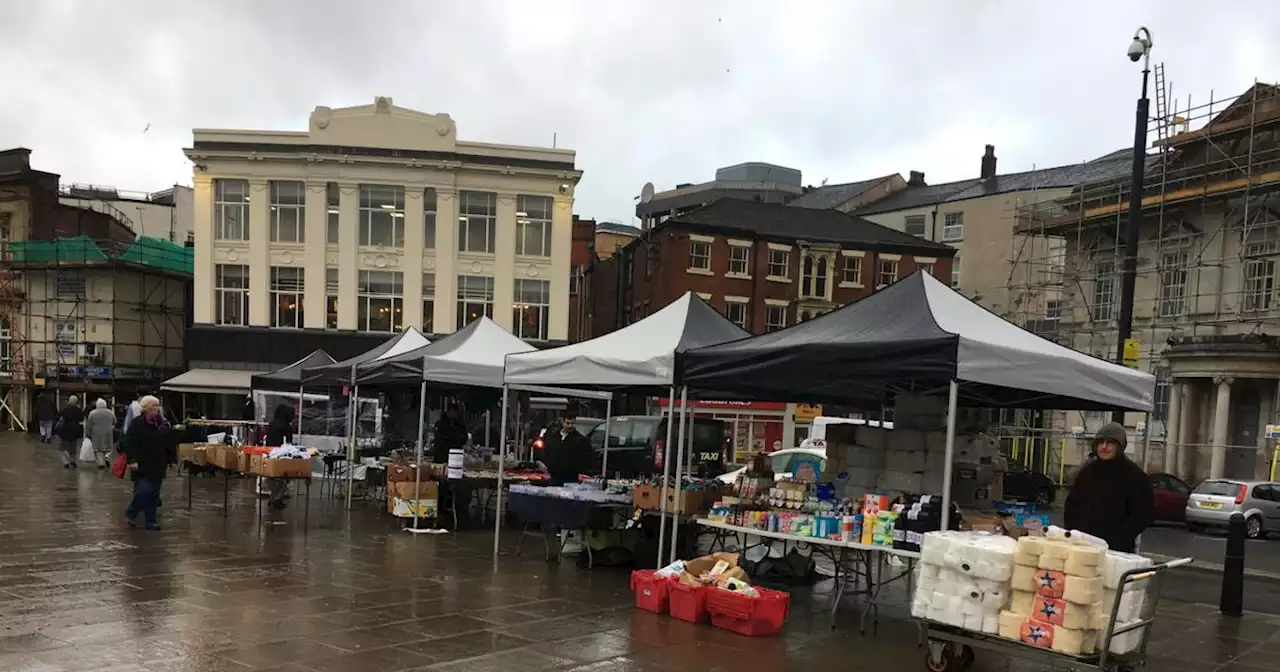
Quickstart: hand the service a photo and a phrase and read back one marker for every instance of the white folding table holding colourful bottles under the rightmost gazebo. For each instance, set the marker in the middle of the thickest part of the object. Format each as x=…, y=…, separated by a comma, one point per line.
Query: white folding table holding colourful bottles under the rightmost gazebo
x=863, y=561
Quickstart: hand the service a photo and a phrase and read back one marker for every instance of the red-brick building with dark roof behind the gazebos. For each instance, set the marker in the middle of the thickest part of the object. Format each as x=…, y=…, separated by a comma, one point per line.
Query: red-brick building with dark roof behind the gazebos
x=765, y=266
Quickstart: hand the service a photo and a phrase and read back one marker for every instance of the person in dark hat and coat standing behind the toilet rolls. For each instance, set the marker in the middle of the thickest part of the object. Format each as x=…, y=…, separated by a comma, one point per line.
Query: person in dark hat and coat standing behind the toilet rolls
x=1112, y=496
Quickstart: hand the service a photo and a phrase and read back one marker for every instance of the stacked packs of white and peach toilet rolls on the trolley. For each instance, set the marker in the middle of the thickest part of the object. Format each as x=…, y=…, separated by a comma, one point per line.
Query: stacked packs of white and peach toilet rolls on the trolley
x=1054, y=592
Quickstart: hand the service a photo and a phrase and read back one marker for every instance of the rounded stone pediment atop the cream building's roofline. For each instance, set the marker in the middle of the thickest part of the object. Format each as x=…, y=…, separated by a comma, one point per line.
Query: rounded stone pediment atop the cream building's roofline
x=383, y=126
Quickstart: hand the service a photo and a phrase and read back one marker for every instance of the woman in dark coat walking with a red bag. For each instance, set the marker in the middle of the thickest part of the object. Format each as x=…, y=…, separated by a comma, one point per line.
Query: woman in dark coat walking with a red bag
x=149, y=451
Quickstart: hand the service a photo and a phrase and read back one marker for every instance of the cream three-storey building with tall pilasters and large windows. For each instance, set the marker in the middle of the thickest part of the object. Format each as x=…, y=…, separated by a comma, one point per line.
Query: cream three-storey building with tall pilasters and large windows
x=376, y=220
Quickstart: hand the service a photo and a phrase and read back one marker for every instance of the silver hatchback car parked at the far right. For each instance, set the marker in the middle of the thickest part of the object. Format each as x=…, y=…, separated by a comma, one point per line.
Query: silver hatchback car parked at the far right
x=1214, y=502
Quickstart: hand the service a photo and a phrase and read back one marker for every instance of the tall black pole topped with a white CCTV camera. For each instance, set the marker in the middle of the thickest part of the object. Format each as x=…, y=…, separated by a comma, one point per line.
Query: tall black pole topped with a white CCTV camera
x=1140, y=49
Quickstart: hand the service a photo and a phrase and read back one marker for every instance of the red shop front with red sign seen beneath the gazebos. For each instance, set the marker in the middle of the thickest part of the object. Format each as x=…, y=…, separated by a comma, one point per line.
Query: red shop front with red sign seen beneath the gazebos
x=753, y=427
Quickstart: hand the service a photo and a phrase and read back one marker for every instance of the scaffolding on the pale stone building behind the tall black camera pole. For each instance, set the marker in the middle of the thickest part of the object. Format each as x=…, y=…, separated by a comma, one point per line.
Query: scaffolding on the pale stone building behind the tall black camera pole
x=1208, y=264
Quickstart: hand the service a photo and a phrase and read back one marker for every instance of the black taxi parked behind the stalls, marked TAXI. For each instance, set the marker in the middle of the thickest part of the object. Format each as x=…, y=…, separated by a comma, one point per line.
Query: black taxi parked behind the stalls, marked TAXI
x=638, y=442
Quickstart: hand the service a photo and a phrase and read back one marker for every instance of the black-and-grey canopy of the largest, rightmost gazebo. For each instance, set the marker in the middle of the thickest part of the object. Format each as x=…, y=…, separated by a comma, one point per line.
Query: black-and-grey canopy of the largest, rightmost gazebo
x=916, y=337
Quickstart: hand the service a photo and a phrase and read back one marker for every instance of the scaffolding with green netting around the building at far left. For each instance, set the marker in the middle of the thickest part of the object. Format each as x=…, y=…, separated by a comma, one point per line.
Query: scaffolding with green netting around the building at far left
x=89, y=317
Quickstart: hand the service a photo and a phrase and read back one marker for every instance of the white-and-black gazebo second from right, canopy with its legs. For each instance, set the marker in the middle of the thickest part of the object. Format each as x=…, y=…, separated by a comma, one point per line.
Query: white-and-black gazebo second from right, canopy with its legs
x=639, y=358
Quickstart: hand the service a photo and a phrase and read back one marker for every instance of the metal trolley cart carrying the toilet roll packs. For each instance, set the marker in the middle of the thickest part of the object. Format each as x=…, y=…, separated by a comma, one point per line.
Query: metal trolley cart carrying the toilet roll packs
x=952, y=650
